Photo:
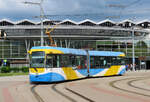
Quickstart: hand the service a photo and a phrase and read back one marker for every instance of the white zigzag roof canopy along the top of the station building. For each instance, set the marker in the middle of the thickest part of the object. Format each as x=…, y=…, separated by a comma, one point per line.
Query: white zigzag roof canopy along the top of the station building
x=87, y=22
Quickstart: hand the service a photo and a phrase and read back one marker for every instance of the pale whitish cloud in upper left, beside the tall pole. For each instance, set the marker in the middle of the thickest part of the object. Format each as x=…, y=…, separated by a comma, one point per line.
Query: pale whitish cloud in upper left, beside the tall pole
x=14, y=8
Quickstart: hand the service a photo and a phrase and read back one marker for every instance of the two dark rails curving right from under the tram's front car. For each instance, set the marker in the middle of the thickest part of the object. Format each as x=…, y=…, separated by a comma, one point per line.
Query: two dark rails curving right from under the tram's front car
x=71, y=91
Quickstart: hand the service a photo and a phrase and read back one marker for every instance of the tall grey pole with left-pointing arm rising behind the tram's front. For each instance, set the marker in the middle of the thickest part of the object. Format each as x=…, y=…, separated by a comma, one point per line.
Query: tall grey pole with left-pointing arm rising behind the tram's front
x=41, y=17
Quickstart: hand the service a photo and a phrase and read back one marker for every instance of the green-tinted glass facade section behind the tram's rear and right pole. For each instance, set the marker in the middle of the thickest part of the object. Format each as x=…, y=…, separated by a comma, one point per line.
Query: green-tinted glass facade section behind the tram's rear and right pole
x=142, y=47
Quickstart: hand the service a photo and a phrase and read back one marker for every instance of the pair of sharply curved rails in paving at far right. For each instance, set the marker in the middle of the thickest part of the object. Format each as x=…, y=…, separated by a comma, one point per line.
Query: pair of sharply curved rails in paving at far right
x=129, y=83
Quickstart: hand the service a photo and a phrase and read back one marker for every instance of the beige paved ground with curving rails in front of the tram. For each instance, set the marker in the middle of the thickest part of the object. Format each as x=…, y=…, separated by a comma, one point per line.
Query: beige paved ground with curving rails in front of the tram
x=132, y=87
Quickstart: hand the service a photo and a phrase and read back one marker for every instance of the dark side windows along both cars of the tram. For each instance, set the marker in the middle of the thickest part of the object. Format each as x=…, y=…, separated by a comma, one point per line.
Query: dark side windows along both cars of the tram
x=57, y=61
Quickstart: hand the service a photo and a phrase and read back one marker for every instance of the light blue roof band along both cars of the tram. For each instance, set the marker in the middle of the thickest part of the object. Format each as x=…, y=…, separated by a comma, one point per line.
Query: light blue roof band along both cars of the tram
x=81, y=51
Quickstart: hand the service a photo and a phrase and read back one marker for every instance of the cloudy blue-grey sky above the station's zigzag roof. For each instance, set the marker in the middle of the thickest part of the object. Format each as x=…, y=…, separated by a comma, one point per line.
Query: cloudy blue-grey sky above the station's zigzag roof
x=76, y=10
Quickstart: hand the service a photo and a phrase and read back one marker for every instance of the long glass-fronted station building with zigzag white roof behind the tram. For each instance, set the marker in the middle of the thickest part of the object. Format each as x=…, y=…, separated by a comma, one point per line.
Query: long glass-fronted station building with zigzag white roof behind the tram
x=105, y=35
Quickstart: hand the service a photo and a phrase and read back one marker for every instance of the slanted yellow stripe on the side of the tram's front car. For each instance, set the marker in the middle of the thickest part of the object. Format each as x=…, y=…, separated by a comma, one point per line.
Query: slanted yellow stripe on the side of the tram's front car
x=70, y=73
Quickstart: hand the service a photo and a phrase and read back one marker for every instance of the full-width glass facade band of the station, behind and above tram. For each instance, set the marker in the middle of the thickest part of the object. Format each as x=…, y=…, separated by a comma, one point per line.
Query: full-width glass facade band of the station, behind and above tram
x=18, y=49
